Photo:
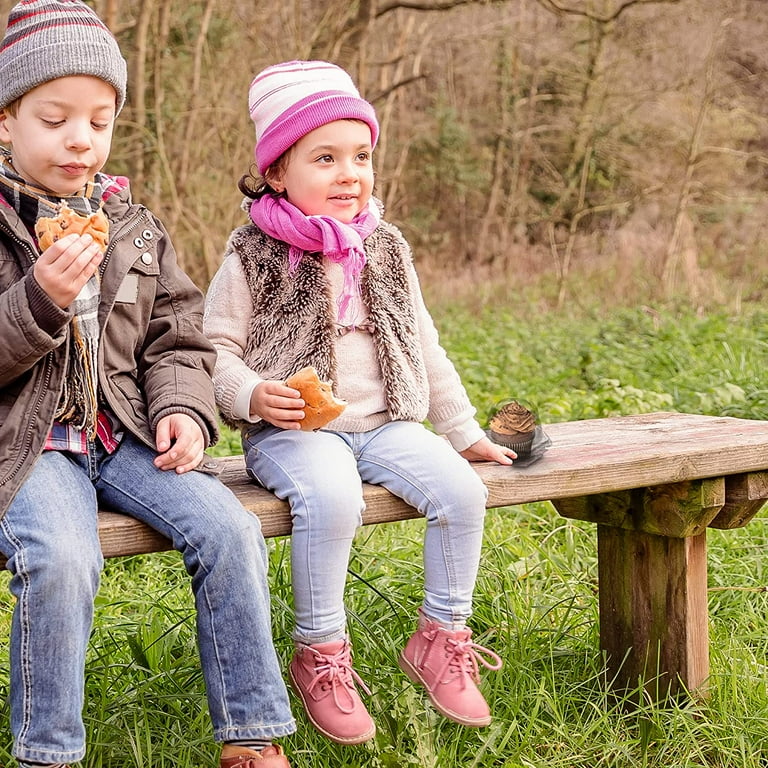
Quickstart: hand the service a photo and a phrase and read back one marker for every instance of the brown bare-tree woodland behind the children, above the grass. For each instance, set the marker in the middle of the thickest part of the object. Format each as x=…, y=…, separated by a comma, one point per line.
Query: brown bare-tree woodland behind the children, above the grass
x=616, y=148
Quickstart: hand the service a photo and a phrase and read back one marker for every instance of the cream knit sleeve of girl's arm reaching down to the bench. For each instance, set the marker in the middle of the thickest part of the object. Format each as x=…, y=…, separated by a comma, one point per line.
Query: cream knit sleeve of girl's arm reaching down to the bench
x=450, y=410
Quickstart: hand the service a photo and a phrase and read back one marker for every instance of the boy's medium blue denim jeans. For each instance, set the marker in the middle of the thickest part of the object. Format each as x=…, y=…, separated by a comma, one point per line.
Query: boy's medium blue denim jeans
x=49, y=535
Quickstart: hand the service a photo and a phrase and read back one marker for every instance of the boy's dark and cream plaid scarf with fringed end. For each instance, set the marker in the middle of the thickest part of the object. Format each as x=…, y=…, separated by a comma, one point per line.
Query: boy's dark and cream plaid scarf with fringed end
x=79, y=399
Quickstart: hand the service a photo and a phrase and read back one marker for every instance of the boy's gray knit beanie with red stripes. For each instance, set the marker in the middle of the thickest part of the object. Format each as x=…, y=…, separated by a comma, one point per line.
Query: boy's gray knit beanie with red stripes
x=46, y=39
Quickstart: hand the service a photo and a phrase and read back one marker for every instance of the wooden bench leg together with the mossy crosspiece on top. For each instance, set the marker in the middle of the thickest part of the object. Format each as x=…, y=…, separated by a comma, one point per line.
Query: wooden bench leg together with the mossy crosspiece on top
x=652, y=580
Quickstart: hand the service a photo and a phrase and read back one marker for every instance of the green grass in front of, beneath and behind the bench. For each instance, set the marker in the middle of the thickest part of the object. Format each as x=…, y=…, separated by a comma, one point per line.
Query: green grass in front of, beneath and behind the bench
x=536, y=596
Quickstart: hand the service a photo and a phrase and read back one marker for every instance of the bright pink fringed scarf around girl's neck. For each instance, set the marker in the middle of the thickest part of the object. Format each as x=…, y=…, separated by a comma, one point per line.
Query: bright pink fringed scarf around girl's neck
x=341, y=243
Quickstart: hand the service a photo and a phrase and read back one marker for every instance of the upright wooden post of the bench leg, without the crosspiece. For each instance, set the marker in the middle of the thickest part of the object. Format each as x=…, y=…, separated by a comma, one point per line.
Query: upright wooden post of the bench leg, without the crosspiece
x=653, y=610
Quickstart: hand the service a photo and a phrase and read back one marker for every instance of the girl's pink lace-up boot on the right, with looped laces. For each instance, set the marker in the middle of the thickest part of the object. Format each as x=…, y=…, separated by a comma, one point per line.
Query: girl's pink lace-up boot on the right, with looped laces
x=445, y=662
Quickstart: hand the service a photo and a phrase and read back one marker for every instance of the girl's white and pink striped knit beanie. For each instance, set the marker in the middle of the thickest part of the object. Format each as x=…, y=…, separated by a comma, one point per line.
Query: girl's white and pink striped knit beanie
x=288, y=100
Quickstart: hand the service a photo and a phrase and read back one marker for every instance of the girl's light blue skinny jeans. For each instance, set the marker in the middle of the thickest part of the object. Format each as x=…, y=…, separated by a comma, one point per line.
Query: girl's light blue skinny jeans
x=321, y=474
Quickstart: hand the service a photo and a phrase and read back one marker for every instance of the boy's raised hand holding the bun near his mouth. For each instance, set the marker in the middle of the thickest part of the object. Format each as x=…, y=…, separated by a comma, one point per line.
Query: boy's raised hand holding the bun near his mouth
x=64, y=268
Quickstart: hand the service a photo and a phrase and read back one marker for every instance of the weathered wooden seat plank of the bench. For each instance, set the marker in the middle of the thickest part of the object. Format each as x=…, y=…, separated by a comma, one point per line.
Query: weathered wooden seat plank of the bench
x=586, y=457
